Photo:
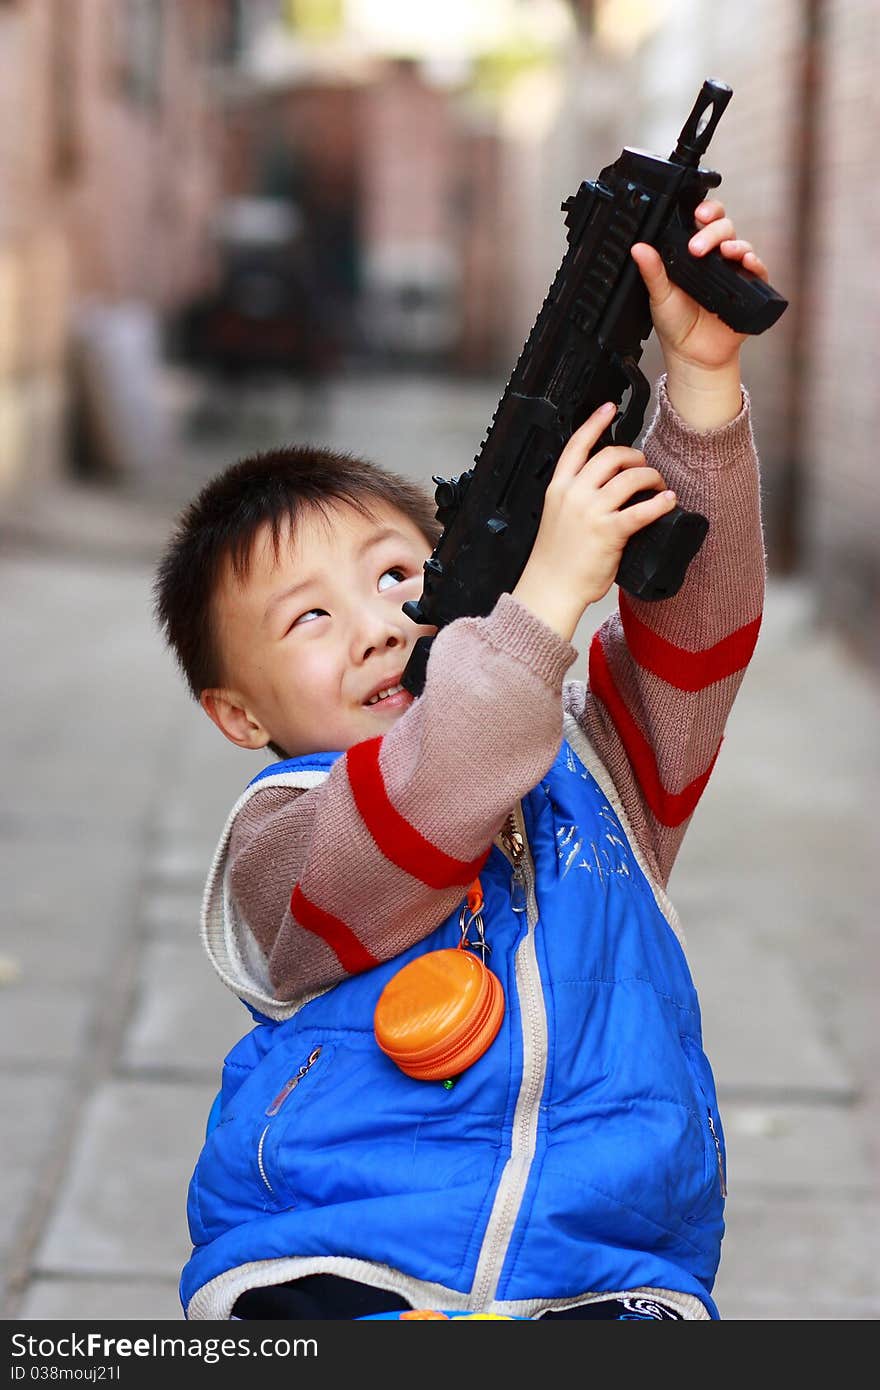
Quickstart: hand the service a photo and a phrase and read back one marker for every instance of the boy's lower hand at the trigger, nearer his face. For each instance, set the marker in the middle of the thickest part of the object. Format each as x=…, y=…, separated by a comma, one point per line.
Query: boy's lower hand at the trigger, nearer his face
x=583, y=529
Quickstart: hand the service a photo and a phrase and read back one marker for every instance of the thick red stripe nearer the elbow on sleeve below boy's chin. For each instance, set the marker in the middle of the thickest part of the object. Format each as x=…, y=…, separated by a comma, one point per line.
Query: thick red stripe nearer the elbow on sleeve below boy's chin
x=393, y=833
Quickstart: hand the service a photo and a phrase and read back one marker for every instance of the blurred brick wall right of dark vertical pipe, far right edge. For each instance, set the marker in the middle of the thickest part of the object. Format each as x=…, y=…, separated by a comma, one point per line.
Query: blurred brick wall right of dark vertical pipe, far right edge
x=842, y=407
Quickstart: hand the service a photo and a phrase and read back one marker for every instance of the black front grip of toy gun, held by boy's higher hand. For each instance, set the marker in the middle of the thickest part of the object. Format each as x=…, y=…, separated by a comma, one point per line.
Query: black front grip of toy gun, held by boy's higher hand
x=747, y=304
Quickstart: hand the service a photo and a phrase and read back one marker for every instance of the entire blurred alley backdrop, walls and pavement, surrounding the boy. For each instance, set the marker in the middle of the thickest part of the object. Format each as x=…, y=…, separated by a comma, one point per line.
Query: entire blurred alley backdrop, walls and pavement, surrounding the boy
x=233, y=223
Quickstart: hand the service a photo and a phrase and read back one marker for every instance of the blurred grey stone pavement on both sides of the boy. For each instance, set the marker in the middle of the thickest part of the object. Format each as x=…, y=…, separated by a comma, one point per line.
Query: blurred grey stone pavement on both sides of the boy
x=113, y=1025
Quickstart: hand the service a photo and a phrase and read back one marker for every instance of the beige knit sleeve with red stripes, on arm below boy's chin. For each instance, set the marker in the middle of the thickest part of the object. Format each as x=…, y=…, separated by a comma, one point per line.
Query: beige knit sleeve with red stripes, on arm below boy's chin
x=339, y=878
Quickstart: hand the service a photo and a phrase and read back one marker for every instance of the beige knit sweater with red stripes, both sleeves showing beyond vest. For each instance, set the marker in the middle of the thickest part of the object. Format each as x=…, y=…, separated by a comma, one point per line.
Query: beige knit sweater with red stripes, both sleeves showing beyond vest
x=355, y=871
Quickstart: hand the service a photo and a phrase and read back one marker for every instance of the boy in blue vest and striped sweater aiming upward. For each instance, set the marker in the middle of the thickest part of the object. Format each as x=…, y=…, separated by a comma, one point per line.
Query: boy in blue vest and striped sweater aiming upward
x=578, y=1167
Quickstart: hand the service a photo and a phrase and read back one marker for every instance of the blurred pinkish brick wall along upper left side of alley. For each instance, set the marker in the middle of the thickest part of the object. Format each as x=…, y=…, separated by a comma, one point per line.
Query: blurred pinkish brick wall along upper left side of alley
x=106, y=183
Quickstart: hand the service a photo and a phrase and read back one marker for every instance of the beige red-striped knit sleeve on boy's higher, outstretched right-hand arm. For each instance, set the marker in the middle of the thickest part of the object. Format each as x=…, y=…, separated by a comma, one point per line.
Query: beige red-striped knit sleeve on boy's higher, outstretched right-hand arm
x=662, y=676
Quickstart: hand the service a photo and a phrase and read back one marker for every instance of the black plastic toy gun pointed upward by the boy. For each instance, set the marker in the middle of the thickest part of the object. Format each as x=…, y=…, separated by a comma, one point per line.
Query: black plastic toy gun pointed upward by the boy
x=582, y=352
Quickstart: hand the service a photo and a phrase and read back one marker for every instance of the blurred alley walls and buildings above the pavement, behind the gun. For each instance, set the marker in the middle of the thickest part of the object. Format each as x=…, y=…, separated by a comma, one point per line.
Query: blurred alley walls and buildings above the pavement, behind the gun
x=202, y=198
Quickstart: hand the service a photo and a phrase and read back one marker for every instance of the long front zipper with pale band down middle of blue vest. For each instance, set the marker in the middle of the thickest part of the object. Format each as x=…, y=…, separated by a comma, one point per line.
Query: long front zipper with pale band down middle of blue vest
x=515, y=1175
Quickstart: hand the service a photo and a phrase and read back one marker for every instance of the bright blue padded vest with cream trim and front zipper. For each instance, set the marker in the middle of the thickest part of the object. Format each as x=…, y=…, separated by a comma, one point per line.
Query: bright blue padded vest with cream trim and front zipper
x=583, y=1154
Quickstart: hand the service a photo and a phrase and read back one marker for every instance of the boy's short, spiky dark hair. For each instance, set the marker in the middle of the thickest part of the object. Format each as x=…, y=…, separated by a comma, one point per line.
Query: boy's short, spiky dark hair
x=220, y=526
